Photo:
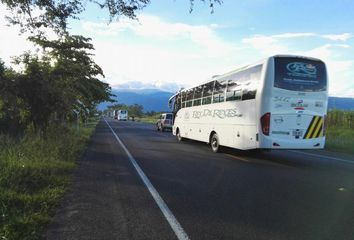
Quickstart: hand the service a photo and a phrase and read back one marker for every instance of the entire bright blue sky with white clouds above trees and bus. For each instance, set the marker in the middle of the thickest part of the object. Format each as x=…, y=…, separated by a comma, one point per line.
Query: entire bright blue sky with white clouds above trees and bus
x=168, y=47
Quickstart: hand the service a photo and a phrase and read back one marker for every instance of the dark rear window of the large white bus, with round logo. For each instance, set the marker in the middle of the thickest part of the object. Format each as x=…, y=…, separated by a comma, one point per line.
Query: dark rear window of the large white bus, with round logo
x=298, y=74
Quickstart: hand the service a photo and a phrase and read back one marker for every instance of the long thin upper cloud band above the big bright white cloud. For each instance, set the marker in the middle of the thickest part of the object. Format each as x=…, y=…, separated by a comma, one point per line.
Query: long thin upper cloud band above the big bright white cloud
x=154, y=28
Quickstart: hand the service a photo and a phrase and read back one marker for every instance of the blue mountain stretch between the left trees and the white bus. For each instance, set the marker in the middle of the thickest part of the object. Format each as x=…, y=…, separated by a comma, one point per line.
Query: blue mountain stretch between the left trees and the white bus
x=151, y=99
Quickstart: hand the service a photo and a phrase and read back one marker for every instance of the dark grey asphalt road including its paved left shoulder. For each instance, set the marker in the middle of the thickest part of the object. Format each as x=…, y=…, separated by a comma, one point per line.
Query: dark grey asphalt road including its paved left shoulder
x=197, y=194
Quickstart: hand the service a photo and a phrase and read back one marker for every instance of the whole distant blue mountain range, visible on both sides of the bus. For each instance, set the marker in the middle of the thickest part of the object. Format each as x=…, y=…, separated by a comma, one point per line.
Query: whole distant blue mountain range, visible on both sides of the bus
x=157, y=100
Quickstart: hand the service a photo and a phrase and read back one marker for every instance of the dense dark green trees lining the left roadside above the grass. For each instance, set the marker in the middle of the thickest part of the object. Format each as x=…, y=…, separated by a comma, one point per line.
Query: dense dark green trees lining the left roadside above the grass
x=55, y=87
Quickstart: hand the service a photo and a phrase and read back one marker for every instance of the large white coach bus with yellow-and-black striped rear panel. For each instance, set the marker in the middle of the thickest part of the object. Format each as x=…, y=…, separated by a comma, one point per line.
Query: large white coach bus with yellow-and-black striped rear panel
x=277, y=103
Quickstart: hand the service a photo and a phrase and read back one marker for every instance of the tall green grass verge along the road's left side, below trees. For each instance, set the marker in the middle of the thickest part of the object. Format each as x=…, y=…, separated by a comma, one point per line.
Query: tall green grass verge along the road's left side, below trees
x=34, y=174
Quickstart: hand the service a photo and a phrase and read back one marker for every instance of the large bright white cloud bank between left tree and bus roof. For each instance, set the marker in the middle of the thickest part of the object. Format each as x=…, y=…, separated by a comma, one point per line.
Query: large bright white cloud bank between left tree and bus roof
x=158, y=53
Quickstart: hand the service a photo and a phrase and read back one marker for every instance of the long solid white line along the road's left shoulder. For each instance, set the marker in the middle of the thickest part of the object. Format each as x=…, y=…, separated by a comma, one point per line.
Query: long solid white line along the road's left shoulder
x=171, y=219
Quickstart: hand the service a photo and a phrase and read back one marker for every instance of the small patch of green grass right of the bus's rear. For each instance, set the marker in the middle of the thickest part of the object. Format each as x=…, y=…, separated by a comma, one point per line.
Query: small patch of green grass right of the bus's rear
x=340, y=139
